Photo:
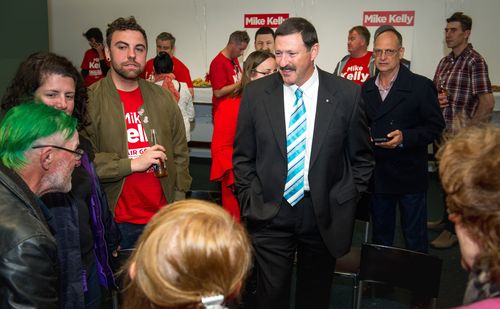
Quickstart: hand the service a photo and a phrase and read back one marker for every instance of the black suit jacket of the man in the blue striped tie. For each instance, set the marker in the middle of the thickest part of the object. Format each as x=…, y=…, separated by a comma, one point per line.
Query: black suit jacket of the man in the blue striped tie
x=341, y=160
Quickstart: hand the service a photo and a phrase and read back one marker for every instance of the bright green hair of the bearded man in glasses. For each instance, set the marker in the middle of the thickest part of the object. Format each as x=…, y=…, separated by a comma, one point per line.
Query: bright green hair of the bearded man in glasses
x=25, y=124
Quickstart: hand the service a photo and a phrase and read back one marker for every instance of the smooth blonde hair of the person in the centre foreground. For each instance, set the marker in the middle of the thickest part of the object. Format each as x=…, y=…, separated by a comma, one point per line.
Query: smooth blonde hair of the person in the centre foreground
x=190, y=249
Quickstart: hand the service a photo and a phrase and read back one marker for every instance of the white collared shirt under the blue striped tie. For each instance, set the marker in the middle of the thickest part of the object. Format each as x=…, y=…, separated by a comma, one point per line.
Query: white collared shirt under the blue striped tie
x=310, y=97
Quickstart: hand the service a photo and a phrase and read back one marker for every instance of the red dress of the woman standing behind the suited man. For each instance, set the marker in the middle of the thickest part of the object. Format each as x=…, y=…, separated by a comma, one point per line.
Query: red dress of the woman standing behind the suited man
x=225, y=119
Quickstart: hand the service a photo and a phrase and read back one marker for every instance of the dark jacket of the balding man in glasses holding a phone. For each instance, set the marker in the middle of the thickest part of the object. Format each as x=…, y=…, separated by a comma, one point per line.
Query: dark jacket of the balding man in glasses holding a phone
x=412, y=107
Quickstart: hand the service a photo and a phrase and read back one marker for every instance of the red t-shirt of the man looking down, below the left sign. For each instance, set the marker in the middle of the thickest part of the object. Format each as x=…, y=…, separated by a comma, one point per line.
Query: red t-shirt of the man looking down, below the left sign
x=223, y=72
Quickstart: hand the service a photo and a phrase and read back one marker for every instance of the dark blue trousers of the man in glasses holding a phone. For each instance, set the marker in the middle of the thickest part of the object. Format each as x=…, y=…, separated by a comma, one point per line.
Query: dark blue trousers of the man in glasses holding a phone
x=413, y=211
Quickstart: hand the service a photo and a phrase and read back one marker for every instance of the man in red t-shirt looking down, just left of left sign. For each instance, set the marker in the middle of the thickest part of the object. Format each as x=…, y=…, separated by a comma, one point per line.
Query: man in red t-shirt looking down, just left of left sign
x=225, y=69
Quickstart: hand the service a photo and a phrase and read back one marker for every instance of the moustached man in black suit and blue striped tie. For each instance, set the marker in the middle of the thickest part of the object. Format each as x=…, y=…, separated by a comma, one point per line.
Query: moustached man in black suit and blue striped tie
x=302, y=156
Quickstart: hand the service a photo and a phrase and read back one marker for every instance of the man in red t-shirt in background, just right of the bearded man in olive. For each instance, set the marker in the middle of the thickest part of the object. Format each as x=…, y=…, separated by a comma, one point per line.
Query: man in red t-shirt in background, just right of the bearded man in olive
x=165, y=42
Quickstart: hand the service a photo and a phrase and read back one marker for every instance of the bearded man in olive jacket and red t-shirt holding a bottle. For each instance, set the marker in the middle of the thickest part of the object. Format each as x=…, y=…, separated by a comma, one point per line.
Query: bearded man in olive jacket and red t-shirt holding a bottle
x=125, y=161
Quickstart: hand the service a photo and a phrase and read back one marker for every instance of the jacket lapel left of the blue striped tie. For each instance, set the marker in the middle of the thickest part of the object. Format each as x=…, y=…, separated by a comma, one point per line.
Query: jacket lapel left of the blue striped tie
x=274, y=106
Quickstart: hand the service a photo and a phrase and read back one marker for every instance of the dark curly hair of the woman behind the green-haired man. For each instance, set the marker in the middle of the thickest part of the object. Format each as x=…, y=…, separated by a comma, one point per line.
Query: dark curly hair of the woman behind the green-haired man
x=31, y=75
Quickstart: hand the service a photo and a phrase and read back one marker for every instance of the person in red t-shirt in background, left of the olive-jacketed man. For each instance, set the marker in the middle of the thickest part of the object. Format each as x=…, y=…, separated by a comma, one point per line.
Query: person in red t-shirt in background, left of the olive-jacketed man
x=94, y=65
